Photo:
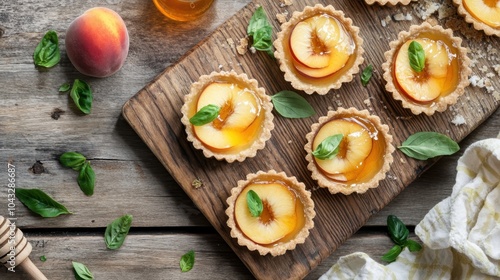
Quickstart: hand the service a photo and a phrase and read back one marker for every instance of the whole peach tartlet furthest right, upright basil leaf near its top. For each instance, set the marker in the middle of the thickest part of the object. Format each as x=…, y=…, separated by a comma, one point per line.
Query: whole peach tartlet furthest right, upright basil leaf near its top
x=443, y=74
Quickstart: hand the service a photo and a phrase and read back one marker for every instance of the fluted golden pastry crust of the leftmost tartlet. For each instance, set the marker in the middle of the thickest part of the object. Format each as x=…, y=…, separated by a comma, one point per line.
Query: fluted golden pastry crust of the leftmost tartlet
x=266, y=105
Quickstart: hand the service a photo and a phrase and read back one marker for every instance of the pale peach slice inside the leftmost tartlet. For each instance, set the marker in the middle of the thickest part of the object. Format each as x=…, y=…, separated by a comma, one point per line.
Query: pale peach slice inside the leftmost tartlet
x=239, y=109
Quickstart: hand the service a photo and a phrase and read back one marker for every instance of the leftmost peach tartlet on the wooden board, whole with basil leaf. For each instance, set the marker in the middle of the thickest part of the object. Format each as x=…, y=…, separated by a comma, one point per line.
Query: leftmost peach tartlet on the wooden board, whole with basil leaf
x=241, y=122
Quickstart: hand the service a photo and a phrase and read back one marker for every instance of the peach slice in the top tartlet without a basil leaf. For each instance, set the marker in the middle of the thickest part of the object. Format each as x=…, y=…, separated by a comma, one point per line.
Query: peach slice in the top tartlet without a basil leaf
x=311, y=40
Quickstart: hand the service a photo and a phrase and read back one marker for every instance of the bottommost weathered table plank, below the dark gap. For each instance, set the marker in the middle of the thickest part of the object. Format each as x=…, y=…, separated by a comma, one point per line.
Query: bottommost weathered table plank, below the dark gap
x=157, y=255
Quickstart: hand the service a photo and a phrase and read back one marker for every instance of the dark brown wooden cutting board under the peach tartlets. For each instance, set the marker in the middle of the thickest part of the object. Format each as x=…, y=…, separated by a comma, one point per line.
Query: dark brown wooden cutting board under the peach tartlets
x=154, y=113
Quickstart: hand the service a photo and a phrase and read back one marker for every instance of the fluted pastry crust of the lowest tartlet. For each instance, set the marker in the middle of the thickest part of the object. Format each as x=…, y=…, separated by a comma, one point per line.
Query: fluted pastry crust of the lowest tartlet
x=279, y=248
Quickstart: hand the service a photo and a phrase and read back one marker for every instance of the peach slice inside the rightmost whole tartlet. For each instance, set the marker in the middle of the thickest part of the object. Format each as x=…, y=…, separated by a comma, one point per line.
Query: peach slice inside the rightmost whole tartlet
x=428, y=84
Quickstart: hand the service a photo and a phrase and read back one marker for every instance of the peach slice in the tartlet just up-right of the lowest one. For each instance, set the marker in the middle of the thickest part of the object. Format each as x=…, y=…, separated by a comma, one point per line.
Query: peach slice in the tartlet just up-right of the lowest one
x=355, y=147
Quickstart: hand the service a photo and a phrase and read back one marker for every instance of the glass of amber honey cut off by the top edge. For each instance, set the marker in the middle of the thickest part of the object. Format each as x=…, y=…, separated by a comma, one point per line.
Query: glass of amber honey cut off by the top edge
x=183, y=10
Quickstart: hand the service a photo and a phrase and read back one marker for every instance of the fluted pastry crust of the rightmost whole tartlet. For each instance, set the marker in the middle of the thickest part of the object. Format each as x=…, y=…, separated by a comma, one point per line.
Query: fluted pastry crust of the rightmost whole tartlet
x=441, y=103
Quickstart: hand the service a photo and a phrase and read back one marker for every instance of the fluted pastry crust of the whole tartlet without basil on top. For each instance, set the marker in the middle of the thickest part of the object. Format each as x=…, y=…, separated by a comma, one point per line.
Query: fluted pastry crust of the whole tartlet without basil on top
x=298, y=80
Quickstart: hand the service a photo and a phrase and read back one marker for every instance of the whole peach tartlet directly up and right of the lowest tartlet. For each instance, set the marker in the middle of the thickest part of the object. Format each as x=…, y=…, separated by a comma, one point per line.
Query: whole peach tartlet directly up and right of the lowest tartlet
x=362, y=155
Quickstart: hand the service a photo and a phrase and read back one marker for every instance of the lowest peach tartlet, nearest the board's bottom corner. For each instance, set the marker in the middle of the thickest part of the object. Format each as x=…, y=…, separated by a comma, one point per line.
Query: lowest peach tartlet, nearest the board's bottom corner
x=286, y=215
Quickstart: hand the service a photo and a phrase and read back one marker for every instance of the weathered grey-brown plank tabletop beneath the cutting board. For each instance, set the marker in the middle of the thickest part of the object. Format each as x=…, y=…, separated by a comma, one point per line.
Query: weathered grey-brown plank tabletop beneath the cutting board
x=129, y=177
